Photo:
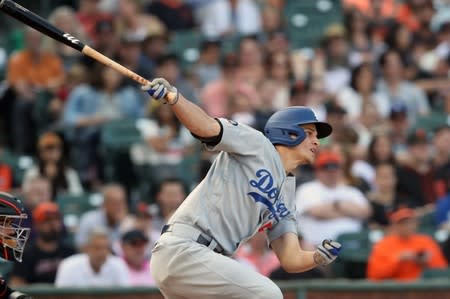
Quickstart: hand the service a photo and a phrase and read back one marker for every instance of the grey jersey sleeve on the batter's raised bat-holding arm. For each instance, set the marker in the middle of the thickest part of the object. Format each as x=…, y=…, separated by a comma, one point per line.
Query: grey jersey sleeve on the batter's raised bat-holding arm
x=239, y=139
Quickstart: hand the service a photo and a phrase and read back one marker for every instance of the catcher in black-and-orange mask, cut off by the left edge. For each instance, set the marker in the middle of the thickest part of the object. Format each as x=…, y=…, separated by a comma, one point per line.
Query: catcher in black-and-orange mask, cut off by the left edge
x=12, y=238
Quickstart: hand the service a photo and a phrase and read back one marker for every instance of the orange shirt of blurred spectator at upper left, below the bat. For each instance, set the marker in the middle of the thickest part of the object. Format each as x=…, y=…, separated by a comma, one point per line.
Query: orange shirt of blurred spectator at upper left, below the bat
x=38, y=73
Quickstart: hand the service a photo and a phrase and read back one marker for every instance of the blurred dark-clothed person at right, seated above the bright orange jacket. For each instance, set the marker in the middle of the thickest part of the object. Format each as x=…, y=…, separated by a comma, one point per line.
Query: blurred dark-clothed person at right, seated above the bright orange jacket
x=416, y=174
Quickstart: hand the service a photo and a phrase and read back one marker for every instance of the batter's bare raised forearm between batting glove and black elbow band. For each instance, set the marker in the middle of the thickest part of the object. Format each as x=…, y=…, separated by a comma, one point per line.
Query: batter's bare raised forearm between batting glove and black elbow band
x=195, y=119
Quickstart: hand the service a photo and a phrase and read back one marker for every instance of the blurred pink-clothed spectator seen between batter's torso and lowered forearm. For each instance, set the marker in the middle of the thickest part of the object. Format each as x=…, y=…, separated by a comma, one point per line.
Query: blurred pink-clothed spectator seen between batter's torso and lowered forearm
x=256, y=254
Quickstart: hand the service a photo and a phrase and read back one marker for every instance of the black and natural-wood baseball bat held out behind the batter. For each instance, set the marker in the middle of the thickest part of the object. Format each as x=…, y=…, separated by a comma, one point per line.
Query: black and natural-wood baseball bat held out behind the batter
x=40, y=24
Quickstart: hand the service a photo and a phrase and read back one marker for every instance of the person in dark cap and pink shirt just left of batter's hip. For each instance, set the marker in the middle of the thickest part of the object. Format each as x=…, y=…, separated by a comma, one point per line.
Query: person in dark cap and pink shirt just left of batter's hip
x=134, y=244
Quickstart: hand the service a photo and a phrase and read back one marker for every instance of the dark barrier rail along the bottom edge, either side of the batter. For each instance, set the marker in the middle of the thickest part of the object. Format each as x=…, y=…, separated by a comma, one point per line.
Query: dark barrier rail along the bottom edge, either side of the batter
x=314, y=289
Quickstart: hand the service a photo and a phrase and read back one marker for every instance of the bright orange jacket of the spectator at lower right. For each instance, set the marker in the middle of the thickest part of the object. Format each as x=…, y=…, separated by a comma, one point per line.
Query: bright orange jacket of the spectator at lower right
x=384, y=261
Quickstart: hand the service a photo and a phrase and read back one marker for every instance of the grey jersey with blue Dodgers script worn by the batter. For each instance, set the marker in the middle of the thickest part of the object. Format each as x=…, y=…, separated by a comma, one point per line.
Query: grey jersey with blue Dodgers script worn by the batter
x=245, y=191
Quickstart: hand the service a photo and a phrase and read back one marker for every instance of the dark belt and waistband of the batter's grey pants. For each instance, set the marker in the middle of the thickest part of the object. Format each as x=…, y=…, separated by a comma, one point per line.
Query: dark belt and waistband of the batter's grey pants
x=187, y=231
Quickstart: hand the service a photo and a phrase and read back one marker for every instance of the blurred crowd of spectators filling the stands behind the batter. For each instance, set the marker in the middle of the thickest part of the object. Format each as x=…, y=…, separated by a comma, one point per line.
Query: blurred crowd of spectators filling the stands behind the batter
x=101, y=167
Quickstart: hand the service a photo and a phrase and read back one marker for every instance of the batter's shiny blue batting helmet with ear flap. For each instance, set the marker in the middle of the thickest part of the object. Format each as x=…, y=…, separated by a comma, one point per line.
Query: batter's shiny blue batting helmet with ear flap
x=283, y=127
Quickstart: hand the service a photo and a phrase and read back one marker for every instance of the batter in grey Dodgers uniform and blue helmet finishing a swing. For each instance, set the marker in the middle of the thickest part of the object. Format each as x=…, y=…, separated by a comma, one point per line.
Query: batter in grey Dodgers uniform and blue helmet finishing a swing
x=249, y=189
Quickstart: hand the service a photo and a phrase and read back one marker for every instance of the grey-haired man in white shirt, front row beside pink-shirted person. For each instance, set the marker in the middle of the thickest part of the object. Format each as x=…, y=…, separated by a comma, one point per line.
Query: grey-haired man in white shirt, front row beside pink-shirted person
x=97, y=267
